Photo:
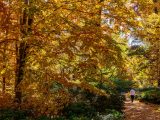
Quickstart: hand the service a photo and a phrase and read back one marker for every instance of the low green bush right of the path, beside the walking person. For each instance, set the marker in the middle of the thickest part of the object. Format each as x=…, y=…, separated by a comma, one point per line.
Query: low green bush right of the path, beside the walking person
x=150, y=95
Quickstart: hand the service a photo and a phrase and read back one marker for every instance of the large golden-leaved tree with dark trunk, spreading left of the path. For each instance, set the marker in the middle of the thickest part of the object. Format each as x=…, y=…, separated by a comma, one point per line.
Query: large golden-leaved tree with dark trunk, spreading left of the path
x=65, y=43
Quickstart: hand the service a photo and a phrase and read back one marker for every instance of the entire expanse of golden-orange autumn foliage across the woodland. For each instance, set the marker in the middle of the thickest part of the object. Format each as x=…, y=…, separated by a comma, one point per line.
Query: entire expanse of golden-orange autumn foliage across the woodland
x=48, y=47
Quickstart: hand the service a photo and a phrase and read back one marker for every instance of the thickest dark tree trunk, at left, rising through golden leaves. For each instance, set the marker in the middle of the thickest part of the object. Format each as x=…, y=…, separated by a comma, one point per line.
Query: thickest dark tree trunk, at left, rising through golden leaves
x=25, y=27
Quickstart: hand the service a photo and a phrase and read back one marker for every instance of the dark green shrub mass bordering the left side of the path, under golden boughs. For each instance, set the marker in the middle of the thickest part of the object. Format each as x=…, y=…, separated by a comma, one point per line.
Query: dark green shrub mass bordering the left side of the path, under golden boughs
x=91, y=104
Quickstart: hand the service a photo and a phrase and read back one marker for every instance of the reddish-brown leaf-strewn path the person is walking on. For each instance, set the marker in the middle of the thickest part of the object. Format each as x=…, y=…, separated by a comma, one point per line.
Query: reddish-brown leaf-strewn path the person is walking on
x=141, y=111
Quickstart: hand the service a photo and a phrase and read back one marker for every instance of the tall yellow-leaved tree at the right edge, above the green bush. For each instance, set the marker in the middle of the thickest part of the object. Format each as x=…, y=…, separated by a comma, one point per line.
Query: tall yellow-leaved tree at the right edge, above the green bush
x=151, y=35
